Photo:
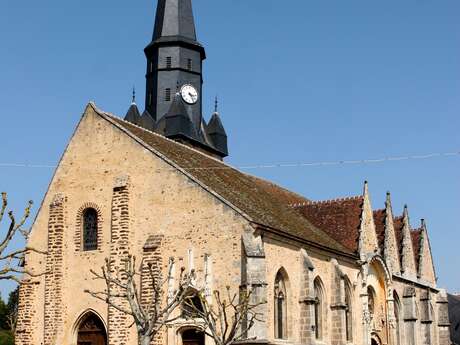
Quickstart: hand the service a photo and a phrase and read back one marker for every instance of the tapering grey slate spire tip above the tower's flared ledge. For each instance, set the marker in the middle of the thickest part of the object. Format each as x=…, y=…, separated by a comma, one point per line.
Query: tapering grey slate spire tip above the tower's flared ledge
x=174, y=18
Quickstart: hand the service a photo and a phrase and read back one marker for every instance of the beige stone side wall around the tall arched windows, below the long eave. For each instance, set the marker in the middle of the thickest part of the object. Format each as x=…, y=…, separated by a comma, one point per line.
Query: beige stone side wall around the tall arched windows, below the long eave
x=286, y=255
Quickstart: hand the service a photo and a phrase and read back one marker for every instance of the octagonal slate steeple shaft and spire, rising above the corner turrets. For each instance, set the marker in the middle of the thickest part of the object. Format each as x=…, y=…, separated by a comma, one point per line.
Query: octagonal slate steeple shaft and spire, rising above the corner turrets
x=174, y=57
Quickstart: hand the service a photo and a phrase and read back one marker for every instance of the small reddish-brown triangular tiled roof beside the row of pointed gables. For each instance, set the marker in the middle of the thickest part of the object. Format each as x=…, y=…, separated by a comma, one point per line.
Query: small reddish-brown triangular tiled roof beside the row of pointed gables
x=339, y=218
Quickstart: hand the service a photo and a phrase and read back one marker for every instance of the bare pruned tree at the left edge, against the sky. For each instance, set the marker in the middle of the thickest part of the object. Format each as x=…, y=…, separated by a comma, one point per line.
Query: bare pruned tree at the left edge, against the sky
x=10, y=267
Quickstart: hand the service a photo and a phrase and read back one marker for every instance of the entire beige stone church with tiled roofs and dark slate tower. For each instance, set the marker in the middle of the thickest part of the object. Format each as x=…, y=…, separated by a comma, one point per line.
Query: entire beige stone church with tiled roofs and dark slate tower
x=154, y=184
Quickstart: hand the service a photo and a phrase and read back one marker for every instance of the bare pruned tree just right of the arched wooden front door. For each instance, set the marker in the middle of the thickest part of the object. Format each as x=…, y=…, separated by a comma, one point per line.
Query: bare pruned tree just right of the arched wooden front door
x=123, y=294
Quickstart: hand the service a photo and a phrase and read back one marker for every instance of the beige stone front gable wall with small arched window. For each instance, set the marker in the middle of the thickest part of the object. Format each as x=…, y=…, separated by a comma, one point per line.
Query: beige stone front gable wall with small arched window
x=193, y=223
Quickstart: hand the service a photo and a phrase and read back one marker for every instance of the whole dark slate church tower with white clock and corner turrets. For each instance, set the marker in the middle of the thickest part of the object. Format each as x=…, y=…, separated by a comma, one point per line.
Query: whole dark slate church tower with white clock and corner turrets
x=174, y=82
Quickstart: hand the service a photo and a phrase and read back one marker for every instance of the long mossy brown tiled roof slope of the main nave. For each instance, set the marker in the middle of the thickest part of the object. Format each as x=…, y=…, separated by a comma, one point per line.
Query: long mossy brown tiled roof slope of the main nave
x=263, y=202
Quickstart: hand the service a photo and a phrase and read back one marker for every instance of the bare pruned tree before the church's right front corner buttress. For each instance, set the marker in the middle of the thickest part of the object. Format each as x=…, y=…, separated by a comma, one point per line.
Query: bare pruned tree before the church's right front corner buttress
x=229, y=319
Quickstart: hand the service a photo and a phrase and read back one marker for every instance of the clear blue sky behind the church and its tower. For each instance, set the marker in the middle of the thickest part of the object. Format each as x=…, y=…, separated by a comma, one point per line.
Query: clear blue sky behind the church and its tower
x=298, y=81
